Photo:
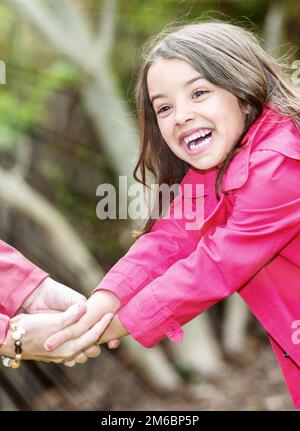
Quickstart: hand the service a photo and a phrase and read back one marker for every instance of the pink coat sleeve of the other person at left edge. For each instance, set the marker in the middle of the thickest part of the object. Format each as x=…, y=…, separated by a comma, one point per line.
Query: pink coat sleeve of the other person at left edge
x=19, y=277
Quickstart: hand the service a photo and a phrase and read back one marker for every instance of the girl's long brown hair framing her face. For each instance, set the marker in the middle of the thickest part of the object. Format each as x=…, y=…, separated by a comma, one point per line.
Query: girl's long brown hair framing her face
x=228, y=56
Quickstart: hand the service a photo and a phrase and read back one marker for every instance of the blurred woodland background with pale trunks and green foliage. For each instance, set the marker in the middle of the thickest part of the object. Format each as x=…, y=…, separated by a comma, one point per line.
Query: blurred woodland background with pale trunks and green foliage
x=68, y=124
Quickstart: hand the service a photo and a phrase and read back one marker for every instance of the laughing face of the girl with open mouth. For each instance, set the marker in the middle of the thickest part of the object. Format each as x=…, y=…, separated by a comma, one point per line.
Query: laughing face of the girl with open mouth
x=199, y=121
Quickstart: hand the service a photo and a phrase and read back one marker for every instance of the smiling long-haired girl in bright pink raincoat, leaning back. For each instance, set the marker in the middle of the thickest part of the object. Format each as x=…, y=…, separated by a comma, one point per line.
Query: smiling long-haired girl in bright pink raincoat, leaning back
x=215, y=109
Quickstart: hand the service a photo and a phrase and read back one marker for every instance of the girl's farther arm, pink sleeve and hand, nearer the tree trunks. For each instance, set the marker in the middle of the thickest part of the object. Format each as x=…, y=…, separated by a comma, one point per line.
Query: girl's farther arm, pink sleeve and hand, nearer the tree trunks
x=169, y=240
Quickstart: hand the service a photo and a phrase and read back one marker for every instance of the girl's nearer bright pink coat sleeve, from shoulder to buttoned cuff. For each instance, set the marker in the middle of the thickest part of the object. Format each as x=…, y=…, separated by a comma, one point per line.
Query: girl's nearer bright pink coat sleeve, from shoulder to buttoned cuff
x=265, y=217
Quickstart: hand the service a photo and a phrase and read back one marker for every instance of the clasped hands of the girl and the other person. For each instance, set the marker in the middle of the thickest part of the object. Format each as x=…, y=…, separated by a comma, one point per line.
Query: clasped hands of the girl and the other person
x=62, y=326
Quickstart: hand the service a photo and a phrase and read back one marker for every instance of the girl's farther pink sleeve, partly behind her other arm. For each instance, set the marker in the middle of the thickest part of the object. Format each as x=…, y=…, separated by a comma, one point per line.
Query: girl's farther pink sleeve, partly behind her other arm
x=154, y=252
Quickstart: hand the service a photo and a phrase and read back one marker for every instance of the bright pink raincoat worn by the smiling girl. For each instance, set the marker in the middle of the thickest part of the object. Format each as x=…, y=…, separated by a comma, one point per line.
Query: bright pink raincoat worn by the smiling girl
x=249, y=242
